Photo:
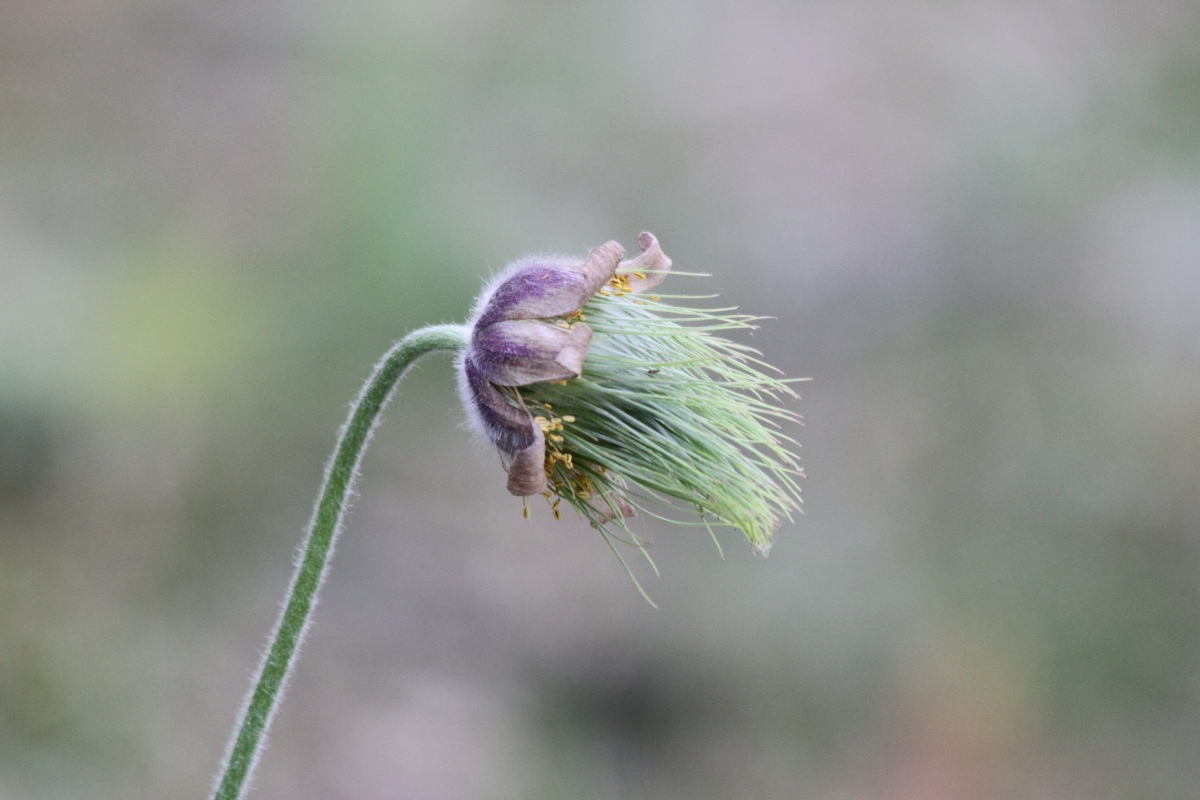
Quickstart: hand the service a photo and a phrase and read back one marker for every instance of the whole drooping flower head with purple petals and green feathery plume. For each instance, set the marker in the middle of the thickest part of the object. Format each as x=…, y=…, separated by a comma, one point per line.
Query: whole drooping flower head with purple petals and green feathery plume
x=603, y=395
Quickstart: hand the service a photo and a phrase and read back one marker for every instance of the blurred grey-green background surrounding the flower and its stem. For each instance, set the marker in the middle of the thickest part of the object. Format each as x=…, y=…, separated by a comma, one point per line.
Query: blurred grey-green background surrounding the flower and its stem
x=977, y=224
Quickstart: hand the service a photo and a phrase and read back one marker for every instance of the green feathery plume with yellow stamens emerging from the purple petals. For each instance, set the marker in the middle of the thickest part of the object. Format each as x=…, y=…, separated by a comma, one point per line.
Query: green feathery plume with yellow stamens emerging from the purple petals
x=670, y=413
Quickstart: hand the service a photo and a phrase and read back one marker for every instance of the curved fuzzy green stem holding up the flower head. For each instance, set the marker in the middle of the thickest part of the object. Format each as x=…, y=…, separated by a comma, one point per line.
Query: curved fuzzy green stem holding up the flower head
x=323, y=530
